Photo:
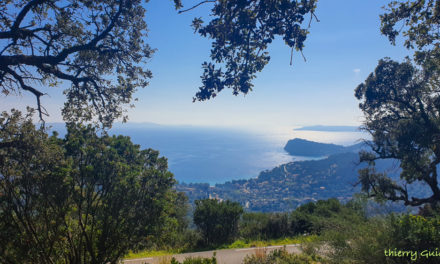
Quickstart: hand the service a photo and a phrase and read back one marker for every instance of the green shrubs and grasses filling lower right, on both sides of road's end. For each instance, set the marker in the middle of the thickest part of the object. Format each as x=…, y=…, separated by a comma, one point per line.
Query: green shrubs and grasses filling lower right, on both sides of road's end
x=342, y=233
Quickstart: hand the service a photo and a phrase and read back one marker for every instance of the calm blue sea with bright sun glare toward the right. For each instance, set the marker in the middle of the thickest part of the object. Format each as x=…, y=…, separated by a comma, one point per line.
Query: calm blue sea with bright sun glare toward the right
x=216, y=155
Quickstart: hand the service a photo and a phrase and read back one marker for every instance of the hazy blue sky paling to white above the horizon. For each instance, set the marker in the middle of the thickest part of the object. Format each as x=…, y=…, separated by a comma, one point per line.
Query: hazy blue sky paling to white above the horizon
x=341, y=50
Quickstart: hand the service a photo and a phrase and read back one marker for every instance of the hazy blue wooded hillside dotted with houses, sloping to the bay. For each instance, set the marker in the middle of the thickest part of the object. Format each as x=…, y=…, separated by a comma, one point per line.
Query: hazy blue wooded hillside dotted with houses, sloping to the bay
x=289, y=185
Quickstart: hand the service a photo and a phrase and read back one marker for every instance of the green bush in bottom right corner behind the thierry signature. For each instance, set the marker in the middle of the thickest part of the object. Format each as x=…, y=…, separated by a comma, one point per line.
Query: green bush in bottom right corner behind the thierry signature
x=367, y=242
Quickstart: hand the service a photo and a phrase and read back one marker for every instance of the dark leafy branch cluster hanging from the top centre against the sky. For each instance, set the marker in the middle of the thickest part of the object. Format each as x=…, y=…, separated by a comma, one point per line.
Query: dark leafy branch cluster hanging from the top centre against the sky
x=241, y=33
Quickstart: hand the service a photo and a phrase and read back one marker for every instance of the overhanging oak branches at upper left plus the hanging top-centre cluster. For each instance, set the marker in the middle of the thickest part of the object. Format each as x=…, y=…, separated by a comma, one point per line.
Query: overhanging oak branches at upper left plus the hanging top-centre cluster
x=99, y=48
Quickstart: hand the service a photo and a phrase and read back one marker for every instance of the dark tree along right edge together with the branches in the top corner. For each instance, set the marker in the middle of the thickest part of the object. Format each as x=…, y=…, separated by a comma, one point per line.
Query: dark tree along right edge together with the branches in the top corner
x=401, y=103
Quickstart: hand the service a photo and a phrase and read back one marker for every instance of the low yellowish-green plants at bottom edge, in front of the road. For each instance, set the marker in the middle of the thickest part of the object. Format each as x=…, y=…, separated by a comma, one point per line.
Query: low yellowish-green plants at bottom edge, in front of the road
x=281, y=257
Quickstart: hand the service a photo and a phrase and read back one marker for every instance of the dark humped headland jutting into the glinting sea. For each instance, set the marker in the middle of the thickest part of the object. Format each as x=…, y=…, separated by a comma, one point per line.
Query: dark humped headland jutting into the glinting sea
x=302, y=147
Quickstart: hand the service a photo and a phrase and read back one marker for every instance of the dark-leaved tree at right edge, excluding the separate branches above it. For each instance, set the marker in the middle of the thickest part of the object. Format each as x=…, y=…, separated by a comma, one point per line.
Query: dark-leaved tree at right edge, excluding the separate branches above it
x=401, y=104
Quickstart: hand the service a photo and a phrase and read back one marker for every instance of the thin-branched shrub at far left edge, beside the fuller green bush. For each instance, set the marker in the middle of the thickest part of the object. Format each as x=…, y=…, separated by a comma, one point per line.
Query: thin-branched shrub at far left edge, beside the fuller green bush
x=32, y=192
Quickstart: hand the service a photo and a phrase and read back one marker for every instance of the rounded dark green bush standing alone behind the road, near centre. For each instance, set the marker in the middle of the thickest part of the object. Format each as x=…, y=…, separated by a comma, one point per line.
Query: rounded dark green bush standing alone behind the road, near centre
x=217, y=221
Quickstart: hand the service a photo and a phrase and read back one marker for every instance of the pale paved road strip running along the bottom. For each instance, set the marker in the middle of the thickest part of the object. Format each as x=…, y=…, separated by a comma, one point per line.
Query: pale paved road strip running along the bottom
x=224, y=256
